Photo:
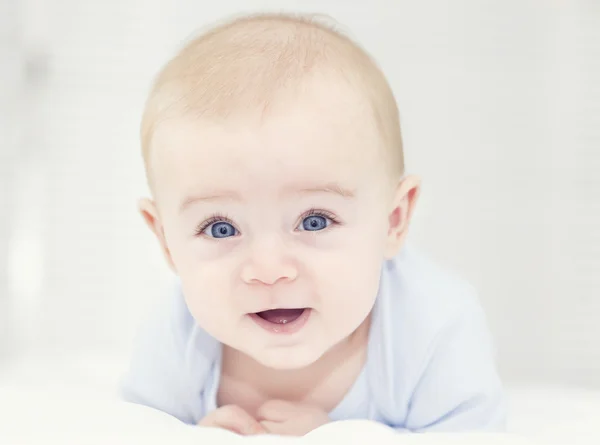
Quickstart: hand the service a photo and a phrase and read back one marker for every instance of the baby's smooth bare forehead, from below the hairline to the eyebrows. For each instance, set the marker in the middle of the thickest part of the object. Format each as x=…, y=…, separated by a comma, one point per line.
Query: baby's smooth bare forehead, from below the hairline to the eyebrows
x=286, y=152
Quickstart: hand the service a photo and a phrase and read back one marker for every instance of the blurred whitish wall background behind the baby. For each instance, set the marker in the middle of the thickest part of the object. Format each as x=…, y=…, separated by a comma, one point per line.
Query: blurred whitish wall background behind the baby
x=500, y=107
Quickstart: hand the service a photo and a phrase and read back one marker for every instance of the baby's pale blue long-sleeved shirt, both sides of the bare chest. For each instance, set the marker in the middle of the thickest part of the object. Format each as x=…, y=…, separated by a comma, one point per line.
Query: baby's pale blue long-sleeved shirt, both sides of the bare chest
x=430, y=363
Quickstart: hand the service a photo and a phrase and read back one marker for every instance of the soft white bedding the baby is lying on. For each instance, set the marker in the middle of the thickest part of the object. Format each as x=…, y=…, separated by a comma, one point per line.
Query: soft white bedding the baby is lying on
x=44, y=401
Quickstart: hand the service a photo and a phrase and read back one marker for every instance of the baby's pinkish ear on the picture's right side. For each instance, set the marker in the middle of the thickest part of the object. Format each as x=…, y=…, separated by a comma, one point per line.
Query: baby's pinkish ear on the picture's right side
x=403, y=206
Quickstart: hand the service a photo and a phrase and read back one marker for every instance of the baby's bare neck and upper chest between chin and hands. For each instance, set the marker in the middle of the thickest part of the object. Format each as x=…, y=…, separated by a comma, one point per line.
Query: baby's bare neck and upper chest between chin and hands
x=247, y=383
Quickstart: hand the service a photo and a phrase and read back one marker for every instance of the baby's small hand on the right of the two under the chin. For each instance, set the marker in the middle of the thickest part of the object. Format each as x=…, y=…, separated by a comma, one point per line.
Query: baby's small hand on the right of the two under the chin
x=293, y=419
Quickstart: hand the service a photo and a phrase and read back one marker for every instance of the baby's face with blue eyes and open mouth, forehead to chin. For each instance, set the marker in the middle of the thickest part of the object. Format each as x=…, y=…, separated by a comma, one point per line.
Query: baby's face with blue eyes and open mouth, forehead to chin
x=277, y=228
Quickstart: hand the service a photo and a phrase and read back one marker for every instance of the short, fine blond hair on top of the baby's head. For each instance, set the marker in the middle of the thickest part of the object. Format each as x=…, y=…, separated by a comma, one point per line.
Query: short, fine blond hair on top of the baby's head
x=244, y=63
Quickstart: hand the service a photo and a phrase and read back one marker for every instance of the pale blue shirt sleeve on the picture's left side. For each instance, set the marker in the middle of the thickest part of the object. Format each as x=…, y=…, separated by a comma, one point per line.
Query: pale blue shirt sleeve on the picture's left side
x=157, y=375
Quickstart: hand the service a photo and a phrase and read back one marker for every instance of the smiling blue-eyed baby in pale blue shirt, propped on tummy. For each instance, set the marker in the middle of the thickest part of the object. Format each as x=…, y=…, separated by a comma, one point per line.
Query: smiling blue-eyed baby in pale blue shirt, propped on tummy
x=274, y=156
